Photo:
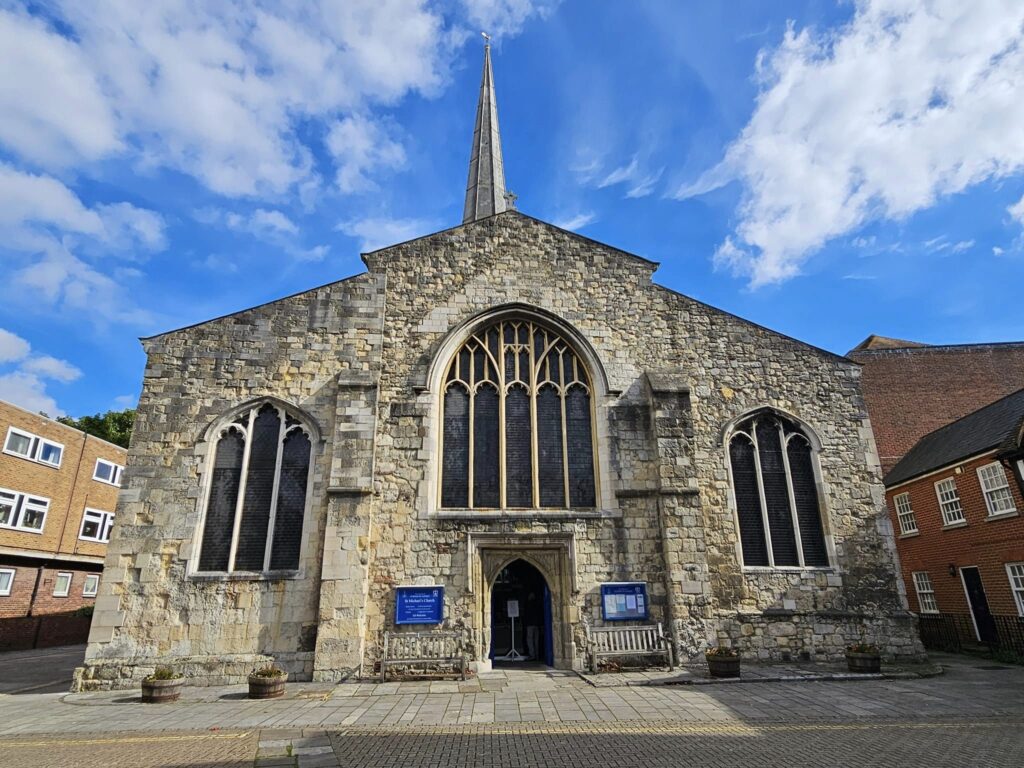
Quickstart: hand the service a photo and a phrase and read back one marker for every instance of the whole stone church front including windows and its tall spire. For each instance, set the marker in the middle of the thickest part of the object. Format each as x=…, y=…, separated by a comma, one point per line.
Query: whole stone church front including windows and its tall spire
x=500, y=393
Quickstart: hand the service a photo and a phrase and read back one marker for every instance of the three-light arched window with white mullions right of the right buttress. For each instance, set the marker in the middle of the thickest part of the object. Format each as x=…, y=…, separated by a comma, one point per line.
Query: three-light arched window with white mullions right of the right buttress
x=777, y=494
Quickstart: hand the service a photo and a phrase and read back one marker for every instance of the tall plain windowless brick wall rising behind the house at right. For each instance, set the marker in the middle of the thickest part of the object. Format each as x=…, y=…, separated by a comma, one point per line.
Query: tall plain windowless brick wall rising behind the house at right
x=915, y=391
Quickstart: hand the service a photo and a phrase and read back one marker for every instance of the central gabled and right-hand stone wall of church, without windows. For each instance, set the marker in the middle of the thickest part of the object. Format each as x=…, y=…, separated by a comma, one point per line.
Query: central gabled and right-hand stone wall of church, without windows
x=667, y=519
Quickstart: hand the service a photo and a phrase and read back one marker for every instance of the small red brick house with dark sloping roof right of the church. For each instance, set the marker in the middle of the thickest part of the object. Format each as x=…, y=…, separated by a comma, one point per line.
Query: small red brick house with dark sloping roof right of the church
x=956, y=500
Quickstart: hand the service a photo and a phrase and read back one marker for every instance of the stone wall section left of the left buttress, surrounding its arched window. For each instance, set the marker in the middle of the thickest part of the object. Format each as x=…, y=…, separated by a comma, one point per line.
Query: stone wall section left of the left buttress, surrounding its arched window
x=150, y=610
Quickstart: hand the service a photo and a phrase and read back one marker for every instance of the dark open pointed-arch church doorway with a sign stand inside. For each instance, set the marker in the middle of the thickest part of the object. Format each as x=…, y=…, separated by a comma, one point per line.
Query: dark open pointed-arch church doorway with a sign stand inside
x=521, y=616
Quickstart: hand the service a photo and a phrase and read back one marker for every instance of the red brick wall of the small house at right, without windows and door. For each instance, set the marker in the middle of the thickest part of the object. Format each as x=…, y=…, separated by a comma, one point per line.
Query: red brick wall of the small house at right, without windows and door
x=983, y=542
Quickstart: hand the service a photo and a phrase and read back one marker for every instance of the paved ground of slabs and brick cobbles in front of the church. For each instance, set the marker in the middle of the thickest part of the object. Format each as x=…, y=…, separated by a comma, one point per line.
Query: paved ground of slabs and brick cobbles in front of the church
x=973, y=715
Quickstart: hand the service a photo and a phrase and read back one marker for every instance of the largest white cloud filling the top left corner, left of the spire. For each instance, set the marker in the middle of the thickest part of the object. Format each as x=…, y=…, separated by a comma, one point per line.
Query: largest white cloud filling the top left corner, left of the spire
x=221, y=92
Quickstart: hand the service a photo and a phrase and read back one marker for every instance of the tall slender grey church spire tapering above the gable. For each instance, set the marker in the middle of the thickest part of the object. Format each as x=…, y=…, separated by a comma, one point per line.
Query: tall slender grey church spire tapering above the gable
x=486, y=190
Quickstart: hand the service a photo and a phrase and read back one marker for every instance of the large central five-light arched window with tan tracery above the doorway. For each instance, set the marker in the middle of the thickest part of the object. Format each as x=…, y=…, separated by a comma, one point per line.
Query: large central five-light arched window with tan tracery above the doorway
x=518, y=422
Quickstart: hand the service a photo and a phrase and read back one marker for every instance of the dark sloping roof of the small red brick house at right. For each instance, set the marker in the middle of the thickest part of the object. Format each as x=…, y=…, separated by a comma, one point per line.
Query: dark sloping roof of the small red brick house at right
x=995, y=426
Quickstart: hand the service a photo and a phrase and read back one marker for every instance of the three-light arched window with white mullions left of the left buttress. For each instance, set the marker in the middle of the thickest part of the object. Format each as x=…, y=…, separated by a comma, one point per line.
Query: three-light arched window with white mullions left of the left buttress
x=259, y=492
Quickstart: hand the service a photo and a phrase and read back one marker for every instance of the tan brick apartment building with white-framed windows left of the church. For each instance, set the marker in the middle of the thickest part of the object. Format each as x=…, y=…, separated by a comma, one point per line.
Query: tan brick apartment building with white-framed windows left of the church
x=59, y=490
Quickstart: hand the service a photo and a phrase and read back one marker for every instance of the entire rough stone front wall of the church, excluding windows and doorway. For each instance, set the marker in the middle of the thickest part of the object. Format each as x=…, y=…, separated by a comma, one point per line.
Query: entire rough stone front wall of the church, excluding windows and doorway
x=358, y=358
